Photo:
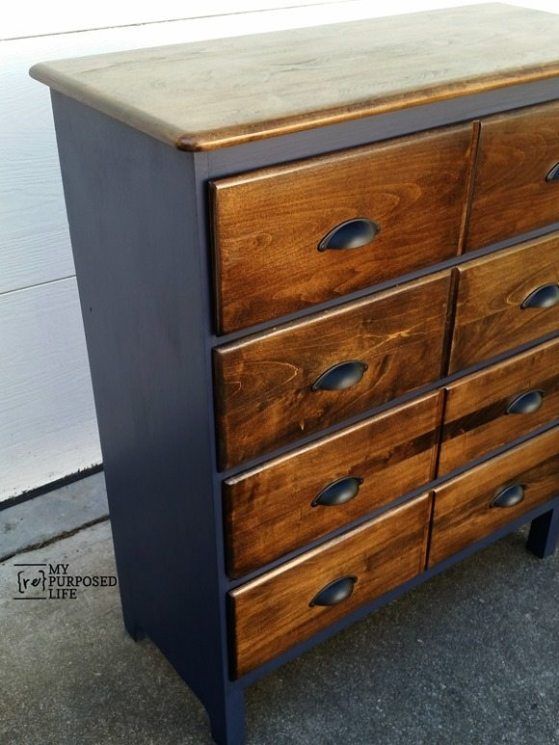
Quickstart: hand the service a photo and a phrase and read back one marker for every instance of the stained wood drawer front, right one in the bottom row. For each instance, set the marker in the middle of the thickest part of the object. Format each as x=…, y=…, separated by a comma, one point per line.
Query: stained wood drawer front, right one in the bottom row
x=465, y=509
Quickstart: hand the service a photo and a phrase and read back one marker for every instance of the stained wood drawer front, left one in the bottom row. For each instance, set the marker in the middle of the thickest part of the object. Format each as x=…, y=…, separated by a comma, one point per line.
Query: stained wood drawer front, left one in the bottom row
x=276, y=611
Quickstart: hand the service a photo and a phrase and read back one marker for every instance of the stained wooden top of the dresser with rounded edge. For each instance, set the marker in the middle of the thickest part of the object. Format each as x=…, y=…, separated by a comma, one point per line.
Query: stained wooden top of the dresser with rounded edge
x=212, y=94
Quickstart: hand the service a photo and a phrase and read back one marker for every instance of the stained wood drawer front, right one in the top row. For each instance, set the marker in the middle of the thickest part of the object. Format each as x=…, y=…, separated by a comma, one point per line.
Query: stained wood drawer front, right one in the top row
x=511, y=195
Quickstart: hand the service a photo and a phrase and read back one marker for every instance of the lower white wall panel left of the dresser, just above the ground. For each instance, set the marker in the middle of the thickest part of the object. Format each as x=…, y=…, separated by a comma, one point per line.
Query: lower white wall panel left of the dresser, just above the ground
x=47, y=419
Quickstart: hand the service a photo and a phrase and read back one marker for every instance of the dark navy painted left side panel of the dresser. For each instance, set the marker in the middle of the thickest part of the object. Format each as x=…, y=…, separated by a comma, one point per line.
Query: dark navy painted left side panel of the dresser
x=133, y=222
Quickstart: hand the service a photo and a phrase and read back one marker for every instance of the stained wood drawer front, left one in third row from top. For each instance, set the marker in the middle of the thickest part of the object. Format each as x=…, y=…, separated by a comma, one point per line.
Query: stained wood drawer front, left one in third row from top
x=288, y=502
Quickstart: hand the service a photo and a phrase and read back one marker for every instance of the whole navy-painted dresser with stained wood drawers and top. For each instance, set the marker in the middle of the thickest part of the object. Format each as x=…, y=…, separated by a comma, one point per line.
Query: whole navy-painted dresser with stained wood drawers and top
x=319, y=277
